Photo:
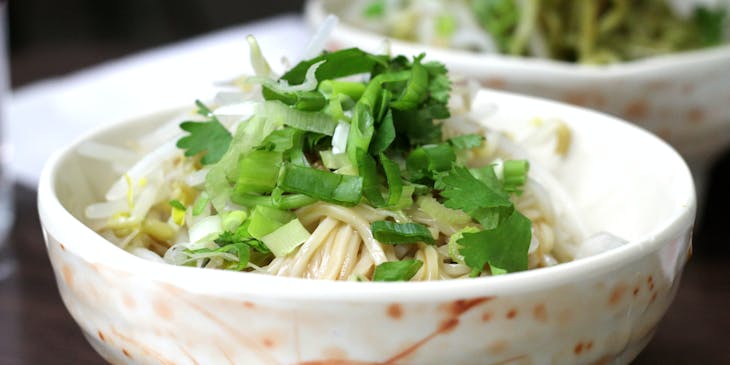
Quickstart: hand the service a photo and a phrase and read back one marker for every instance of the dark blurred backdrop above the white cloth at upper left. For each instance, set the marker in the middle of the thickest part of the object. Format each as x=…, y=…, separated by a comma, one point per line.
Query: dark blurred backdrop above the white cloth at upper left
x=51, y=38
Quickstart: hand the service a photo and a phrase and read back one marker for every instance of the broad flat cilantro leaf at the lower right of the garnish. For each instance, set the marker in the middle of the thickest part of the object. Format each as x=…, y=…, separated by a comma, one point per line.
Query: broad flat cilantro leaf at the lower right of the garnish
x=504, y=247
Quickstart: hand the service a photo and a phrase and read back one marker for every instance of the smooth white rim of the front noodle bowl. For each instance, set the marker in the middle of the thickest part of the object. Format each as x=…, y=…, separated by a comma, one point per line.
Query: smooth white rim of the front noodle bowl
x=57, y=222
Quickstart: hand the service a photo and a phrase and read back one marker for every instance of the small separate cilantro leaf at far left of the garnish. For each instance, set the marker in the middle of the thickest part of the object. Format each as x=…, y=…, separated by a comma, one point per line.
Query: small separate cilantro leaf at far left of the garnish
x=210, y=137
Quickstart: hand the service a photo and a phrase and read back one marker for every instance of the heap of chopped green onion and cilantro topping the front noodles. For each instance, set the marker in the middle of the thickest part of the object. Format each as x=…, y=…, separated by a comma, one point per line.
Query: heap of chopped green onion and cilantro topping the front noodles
x=376, y=142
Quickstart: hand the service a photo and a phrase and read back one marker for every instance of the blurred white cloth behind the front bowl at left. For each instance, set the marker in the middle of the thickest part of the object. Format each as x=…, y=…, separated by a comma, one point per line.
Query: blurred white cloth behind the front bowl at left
x=47, y=115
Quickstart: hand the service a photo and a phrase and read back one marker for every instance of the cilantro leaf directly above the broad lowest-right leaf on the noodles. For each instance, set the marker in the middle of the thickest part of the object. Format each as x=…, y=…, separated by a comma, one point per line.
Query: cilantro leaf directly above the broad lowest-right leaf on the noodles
x=483, y=202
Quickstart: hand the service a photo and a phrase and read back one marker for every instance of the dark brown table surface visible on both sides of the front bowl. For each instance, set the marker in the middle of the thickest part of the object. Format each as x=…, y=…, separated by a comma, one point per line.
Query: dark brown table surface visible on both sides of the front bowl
x=35, y=328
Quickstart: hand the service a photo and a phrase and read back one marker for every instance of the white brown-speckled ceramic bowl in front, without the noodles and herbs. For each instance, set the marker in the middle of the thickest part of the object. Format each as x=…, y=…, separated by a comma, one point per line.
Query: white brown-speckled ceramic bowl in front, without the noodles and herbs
x=598, y=310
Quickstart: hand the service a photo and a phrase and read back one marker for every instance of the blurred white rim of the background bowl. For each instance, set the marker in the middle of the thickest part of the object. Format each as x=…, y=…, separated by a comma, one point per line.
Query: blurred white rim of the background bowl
x=314, y=13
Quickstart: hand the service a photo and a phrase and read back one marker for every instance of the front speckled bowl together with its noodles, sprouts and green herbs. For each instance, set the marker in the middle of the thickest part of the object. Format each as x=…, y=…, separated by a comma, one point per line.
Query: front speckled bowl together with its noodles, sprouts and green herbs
x=370, y=213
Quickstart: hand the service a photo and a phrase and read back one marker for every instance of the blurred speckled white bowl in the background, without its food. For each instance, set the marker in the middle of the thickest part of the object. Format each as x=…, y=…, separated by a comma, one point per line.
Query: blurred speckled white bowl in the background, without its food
x=683, y=98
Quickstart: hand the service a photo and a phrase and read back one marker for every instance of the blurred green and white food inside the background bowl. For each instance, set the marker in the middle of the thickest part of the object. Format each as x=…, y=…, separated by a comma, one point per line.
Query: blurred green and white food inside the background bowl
x=591, y=32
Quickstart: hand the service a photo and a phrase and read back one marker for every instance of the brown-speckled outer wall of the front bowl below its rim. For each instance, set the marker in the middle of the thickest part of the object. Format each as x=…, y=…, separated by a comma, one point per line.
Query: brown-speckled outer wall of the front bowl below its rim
x=602, y=319
